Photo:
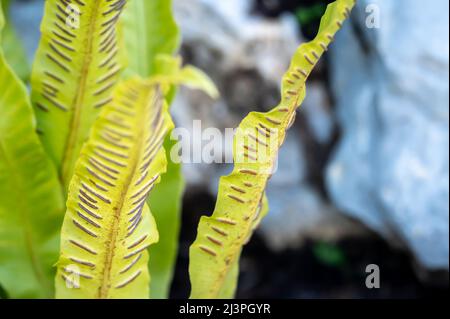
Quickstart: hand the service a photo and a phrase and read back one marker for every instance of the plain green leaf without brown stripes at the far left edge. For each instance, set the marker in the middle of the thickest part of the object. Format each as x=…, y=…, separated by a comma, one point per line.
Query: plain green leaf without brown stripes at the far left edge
x=31, y=202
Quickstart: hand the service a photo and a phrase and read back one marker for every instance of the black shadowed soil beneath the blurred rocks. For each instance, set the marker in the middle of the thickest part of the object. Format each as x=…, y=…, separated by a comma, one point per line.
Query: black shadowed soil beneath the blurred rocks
x=301, y=273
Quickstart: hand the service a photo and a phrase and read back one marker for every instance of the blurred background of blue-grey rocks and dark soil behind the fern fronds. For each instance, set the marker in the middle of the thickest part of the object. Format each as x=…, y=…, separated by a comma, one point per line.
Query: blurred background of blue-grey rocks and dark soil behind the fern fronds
x=363, y=177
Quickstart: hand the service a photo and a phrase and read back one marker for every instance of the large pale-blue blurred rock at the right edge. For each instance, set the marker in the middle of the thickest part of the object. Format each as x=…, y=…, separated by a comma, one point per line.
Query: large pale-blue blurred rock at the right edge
x=390, y=169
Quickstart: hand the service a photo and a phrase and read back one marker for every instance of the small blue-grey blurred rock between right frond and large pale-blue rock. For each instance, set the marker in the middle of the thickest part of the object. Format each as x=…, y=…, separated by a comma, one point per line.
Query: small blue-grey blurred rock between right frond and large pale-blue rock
x=298, y=212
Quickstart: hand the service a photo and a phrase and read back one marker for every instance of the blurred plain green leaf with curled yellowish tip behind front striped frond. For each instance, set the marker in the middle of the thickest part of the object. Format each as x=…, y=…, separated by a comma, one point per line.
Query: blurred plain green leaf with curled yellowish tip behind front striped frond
x=152, y=37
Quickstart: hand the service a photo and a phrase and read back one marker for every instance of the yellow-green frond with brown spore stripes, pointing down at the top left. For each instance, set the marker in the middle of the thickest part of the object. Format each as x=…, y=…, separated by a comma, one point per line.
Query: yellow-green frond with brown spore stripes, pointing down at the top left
x=77, y=65
